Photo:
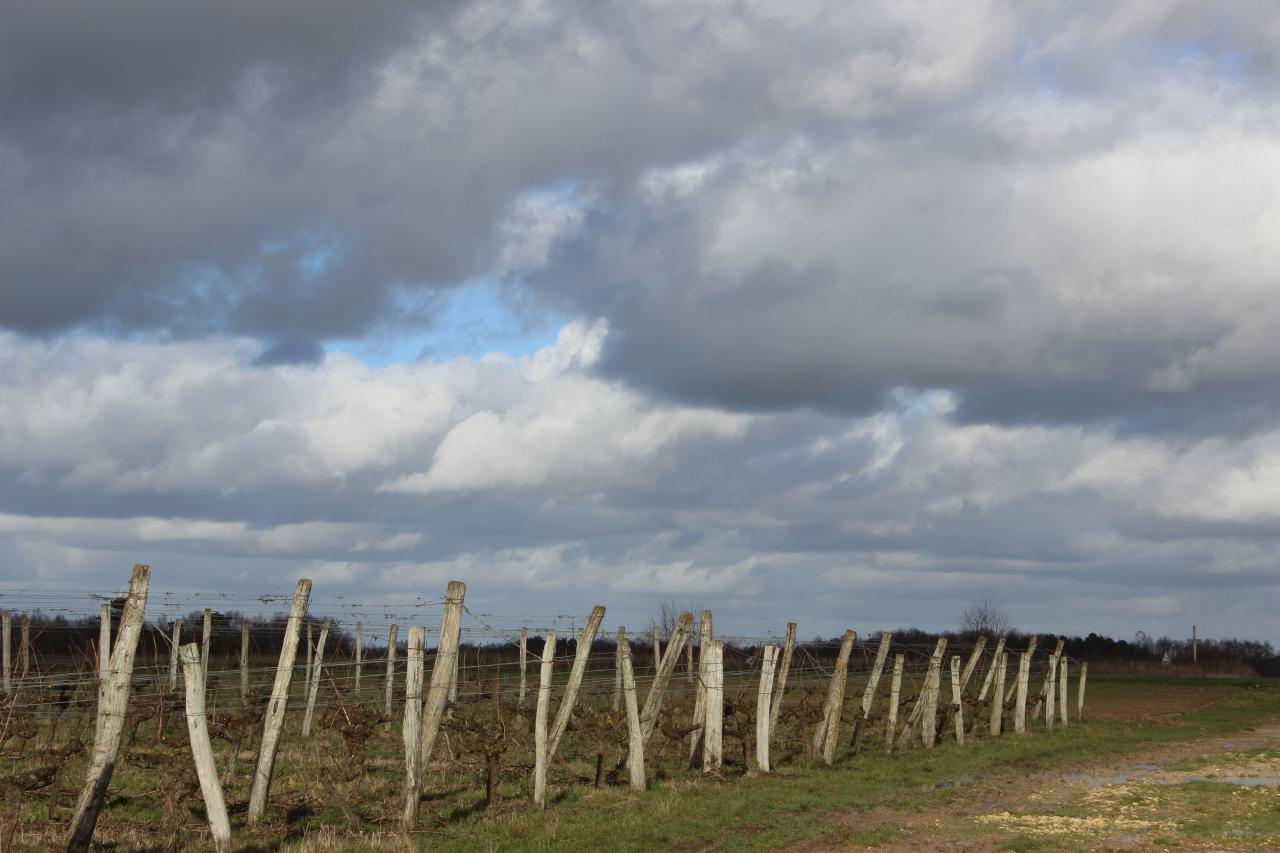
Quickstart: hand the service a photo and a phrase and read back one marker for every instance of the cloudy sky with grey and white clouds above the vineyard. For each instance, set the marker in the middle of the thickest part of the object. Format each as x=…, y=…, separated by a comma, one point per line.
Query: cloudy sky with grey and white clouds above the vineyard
x=840, y=313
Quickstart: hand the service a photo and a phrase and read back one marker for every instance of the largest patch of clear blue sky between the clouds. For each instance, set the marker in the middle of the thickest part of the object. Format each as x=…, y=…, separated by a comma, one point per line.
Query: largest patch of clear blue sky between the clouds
x=473, y=321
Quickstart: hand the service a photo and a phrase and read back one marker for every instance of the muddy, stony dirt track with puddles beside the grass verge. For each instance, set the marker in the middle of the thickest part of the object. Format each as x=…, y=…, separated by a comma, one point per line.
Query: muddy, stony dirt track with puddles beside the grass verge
x=1219, y=793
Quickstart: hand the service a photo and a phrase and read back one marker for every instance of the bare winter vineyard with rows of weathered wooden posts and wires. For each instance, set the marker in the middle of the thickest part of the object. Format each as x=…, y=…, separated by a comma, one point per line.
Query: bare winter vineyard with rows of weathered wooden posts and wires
x=330, y=720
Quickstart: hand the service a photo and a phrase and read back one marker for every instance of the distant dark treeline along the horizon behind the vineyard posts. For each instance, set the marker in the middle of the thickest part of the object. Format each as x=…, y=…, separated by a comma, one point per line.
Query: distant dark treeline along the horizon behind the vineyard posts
x=58, y=641
